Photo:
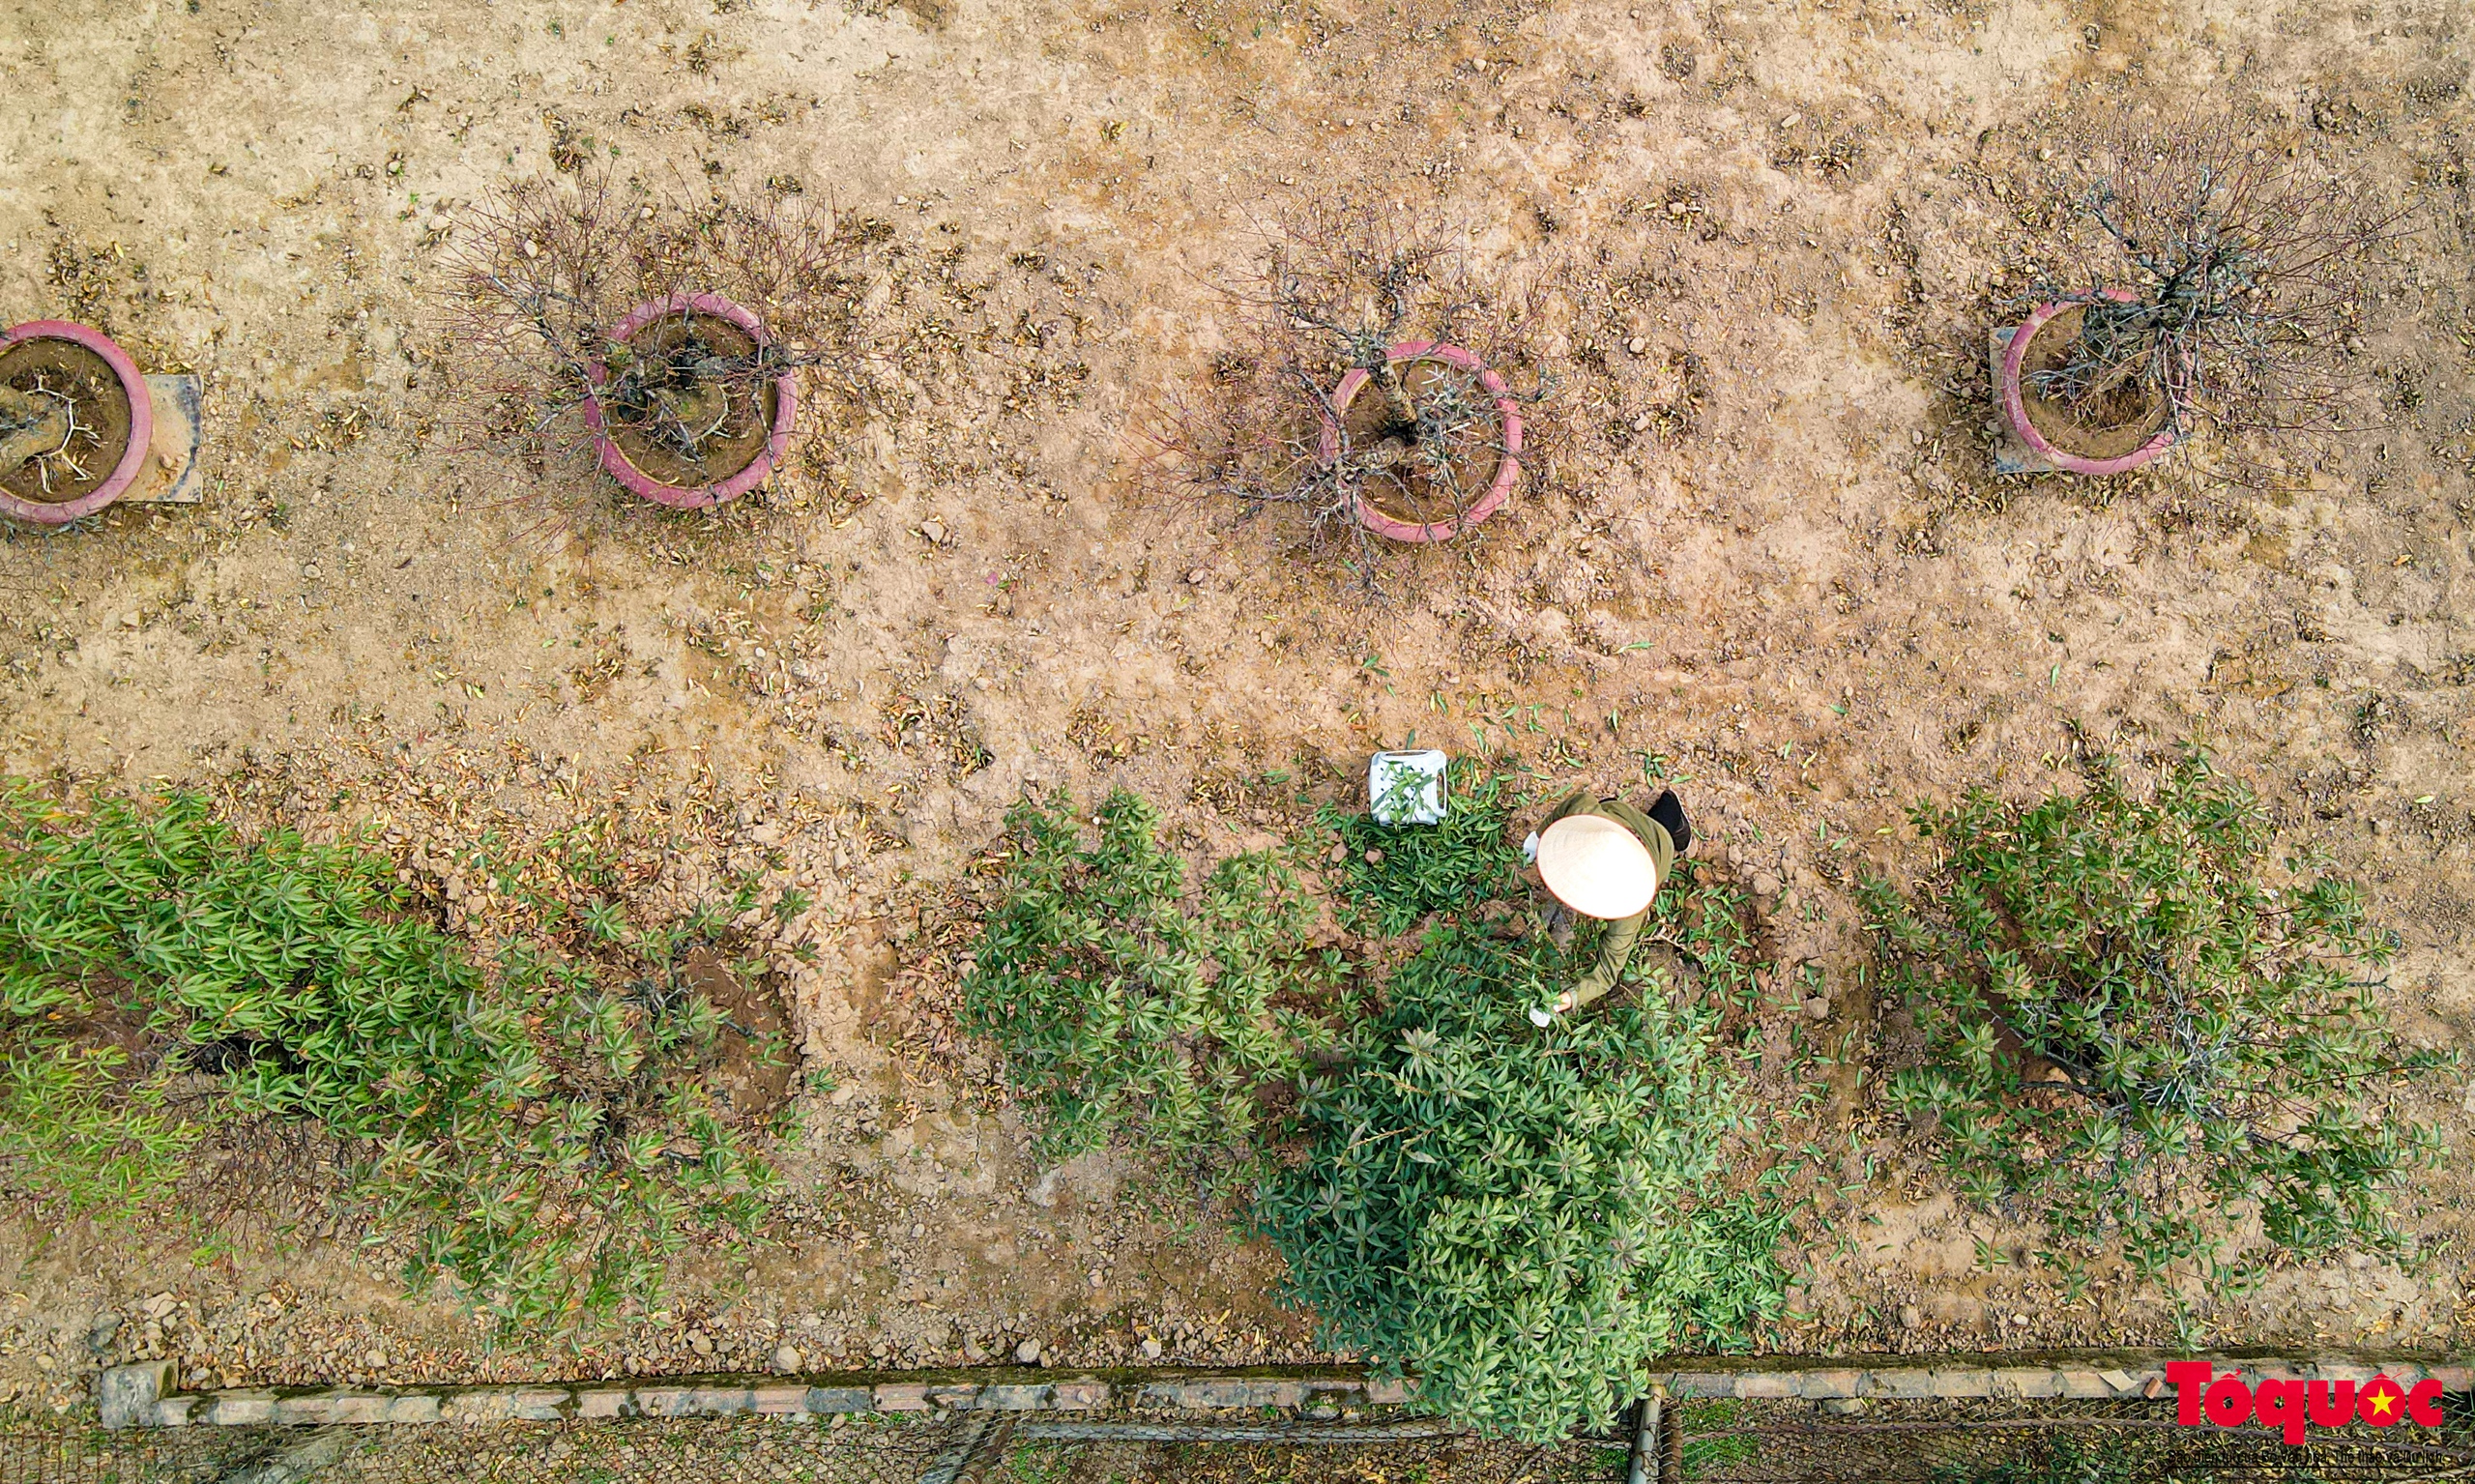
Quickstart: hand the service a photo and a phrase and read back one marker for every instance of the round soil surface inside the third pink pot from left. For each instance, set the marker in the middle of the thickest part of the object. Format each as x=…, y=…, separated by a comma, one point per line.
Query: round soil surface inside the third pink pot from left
x=1429, y=451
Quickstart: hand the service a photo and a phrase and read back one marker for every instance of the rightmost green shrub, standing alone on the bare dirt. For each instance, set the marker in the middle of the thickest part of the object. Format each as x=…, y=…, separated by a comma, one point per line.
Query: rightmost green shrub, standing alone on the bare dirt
x=2132, y=1030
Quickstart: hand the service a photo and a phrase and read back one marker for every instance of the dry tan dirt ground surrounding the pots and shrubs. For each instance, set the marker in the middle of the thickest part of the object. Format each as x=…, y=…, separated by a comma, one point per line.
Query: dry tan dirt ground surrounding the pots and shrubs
x=1778, y=234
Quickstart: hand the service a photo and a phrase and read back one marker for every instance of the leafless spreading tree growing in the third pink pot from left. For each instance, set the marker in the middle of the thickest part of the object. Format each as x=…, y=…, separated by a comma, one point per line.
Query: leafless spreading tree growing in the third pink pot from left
x=1335, y=291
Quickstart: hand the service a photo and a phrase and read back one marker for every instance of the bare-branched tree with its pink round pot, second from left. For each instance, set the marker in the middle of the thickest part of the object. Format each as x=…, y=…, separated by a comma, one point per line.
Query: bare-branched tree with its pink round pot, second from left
x=657, y=335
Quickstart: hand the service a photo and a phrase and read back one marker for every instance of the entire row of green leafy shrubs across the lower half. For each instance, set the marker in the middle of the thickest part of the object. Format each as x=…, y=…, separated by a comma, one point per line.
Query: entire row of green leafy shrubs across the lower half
x=2137, y=1028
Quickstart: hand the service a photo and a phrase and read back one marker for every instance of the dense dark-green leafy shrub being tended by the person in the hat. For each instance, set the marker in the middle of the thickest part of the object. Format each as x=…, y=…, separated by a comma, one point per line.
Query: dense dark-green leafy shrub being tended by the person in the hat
x=1521, y=1216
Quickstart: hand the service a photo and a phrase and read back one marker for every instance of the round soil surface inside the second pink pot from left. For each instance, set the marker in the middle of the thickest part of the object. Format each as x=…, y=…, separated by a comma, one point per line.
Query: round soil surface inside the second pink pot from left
x=674, y=417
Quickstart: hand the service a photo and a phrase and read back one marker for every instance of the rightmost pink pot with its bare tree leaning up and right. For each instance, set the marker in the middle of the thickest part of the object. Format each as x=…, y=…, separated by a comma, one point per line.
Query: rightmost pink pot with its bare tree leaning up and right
x=2214, y=283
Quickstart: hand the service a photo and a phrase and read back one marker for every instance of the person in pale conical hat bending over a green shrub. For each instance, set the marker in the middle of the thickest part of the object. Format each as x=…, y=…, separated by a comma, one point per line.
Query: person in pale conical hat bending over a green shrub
x=1605, y=859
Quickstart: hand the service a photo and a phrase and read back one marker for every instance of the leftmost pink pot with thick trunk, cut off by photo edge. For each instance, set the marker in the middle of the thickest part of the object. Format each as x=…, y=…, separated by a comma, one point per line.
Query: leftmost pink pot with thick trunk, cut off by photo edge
x=75, y=422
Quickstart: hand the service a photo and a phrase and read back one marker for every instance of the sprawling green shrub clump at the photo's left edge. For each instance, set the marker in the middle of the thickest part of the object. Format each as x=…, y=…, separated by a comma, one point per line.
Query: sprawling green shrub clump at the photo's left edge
x=523, y=1129
